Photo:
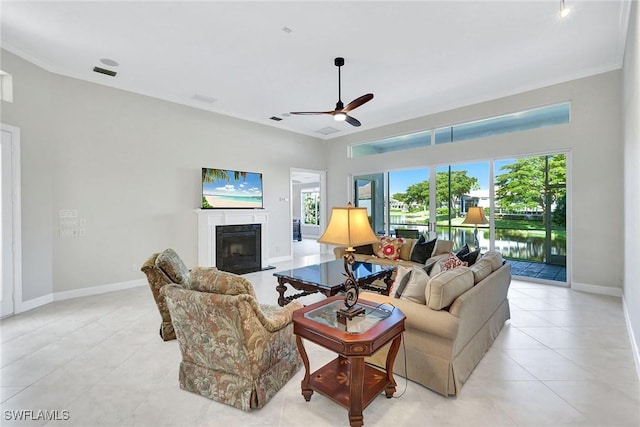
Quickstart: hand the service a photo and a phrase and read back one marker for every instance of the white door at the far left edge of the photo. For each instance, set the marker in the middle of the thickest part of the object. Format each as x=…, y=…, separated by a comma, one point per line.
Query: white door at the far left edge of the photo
x=10, y=250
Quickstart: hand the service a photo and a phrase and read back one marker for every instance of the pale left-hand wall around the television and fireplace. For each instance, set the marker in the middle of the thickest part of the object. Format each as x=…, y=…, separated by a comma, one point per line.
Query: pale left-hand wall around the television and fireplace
x=130, y=165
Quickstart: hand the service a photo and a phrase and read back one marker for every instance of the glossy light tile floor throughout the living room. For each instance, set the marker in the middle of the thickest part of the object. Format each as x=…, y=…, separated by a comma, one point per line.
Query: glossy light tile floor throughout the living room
x=564, y=359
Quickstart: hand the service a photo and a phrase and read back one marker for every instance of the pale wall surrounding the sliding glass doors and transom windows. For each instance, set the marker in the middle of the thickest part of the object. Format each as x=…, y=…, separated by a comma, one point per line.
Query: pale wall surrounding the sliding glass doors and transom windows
x=594, y=139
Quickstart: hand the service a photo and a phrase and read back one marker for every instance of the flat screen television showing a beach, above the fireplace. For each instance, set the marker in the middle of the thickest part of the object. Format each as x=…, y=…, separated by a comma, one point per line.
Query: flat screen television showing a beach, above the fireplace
x=231, y=189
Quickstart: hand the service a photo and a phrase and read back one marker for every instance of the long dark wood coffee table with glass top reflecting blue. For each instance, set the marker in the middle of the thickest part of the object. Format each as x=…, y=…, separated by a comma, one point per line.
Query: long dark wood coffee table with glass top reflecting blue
x=328, y=279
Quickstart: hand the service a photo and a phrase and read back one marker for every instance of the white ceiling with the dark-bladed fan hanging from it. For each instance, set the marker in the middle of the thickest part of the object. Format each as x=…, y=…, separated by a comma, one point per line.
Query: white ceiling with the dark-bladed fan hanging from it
x=416, y=57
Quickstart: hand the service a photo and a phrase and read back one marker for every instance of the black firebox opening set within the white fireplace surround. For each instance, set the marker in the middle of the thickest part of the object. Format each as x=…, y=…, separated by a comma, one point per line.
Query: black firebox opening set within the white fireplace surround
x=238, y=248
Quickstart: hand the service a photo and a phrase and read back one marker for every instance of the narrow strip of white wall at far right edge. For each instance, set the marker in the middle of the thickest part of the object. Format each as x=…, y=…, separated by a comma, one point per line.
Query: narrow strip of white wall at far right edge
x=631, y=101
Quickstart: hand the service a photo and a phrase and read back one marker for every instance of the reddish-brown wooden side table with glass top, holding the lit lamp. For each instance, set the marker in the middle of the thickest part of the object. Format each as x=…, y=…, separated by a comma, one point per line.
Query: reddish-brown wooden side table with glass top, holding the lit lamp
x=347, y=380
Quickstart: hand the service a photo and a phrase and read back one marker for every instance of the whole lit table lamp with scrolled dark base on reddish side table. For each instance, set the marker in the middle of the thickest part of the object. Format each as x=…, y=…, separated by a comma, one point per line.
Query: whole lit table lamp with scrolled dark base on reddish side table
x=349, y=227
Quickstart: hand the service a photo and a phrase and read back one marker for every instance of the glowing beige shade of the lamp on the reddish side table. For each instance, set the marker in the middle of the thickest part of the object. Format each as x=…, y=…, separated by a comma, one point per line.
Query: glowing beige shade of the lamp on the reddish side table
x=348, y=227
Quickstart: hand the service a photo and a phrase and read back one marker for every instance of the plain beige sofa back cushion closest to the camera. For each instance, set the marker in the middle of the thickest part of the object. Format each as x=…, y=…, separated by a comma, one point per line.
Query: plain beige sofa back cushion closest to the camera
x=445, y=287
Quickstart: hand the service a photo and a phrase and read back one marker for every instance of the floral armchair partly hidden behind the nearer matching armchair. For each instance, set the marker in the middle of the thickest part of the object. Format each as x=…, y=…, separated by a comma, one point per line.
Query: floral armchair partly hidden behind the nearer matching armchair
x=162, y=269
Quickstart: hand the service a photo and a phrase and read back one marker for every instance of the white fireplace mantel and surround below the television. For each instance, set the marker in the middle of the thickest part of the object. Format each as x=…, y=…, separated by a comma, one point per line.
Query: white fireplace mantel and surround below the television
x=209, y=219
